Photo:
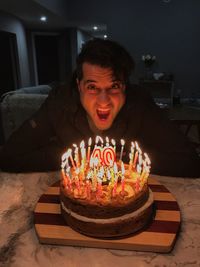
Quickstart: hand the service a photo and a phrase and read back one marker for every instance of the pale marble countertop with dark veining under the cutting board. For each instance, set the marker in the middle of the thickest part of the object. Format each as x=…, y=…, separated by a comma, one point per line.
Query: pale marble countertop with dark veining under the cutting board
x=19, y=245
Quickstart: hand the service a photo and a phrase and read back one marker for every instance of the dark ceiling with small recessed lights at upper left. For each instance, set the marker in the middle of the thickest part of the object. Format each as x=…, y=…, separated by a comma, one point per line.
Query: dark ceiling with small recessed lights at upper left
x=30, y=11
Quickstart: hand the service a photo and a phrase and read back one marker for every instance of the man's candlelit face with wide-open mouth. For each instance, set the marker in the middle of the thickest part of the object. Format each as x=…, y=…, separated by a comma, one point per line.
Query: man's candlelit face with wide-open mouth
x=101, y=95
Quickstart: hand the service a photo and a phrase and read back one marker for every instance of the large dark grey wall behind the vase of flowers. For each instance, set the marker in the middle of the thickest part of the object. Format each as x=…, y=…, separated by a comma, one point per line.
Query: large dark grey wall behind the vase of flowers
x=168, y=31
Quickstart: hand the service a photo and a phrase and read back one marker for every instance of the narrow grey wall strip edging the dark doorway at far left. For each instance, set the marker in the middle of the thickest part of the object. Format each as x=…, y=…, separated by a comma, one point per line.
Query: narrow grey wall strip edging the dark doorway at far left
x=13, y=25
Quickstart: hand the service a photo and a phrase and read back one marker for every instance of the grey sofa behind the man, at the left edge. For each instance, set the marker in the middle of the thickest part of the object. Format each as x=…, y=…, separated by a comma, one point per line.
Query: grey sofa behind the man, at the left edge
x=17, y=106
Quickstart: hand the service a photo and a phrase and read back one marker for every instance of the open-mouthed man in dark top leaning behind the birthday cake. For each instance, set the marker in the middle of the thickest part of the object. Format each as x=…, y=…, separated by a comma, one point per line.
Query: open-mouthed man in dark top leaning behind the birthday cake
x=106, y=105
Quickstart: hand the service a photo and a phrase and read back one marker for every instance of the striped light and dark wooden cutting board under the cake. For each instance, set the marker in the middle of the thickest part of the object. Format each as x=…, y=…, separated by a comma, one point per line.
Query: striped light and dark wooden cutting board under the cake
x=159, y=236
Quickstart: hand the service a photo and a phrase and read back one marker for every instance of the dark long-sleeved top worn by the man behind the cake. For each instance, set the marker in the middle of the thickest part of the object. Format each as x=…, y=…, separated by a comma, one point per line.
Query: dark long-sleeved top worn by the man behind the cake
x=61, y=121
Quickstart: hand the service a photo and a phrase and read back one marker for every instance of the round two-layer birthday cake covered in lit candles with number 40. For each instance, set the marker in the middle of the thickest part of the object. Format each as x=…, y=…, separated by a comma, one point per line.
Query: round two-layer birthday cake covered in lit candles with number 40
x=100, y=196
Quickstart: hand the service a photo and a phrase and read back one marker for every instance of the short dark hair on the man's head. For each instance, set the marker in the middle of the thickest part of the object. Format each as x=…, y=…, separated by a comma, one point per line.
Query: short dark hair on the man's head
x=107, y=54
